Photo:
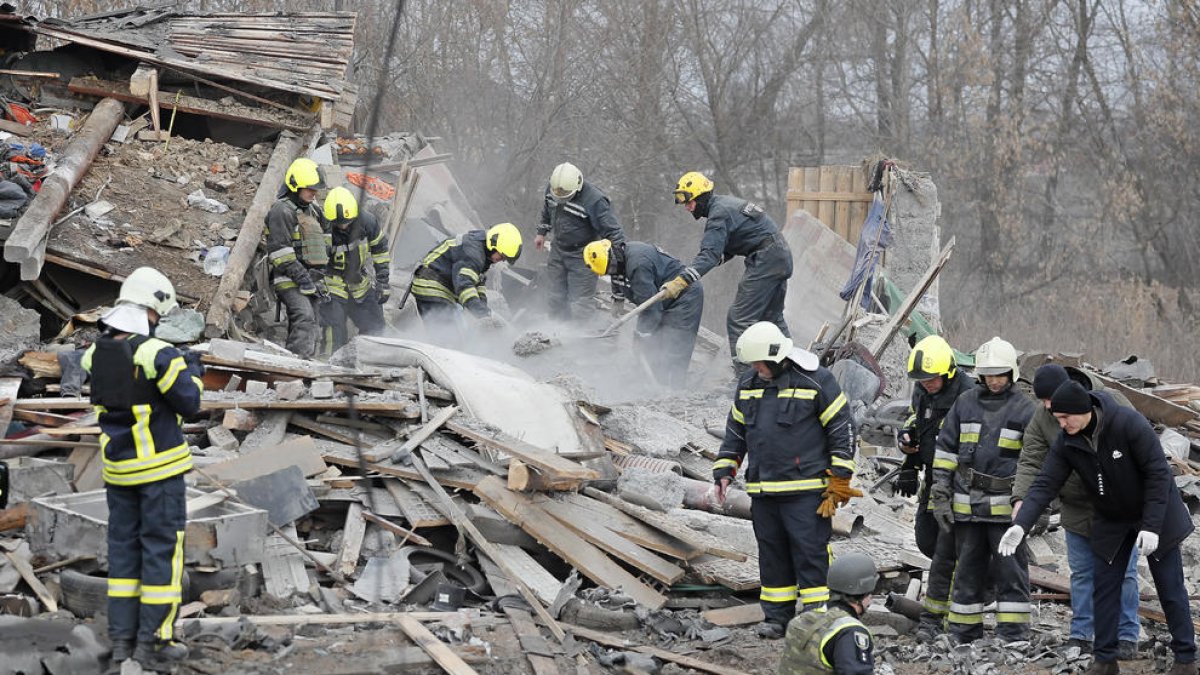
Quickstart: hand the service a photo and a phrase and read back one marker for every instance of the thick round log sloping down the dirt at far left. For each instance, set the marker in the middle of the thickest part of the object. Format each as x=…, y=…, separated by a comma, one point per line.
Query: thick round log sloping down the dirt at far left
x=29, y=236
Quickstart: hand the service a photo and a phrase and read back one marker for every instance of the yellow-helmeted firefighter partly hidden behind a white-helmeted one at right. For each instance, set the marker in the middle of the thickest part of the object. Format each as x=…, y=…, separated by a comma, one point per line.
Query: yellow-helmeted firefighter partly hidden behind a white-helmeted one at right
x=939, y=385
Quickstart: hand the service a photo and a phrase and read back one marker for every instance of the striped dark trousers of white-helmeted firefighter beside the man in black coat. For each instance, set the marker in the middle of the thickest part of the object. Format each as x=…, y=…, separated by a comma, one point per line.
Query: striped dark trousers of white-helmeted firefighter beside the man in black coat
x=979, y=568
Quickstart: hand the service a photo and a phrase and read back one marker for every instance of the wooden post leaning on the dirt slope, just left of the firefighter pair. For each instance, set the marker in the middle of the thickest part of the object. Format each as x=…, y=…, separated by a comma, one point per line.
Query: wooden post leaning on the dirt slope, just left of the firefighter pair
x=243, y=254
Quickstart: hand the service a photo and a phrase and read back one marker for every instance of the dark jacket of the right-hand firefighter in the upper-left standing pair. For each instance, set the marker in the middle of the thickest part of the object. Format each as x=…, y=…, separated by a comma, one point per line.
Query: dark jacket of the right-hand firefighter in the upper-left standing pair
x=358, y=260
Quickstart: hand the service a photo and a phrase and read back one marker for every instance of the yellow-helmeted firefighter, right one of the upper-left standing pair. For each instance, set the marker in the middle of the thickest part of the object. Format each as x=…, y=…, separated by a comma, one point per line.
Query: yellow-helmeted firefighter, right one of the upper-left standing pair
x=359, y=270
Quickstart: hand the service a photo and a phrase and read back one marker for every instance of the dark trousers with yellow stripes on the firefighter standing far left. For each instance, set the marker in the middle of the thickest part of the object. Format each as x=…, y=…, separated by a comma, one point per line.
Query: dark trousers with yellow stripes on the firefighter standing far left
x=146, y=559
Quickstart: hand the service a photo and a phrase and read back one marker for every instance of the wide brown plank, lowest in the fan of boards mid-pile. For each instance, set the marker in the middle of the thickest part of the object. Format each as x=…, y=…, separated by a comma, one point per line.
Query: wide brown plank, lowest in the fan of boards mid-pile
x=591, y=561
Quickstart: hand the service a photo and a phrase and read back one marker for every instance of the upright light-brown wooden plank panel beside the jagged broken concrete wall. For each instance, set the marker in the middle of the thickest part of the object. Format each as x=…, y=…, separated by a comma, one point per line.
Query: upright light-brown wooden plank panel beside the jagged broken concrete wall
x=835, y=195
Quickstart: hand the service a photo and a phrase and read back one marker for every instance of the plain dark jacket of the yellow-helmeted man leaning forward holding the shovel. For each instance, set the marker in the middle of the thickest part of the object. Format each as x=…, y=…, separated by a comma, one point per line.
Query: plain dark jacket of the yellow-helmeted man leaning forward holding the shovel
x=734, y=228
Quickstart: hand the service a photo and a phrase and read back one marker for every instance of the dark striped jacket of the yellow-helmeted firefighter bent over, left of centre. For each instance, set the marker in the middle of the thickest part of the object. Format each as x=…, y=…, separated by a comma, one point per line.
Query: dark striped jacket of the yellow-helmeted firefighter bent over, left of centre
x=454, y=272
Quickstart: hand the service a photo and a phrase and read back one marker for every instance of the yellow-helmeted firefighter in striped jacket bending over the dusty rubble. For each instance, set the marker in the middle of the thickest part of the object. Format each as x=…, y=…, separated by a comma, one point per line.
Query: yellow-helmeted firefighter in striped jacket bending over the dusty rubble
x=452, y=279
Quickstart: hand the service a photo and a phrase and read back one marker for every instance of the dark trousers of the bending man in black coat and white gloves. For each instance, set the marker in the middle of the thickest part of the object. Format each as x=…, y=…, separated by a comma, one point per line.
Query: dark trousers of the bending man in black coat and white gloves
x=1168, y=572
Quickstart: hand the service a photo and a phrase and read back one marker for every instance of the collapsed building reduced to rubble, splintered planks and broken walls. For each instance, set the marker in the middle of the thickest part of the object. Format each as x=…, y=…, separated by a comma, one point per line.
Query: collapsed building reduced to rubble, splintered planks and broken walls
x=525, y=507
